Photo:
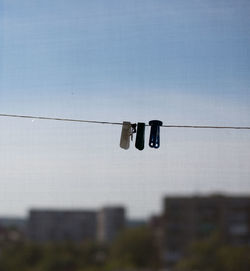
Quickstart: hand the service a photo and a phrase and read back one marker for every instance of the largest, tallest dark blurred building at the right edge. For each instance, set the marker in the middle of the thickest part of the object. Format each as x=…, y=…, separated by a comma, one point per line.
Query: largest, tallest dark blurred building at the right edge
x=187, y=219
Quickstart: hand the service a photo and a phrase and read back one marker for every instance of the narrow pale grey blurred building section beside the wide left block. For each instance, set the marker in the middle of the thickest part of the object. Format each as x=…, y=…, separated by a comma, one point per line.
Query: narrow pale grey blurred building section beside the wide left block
x=111, y=220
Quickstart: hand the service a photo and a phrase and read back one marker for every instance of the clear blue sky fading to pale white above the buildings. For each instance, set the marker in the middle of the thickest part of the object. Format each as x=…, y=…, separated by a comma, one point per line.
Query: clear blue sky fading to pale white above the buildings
x=182, y=62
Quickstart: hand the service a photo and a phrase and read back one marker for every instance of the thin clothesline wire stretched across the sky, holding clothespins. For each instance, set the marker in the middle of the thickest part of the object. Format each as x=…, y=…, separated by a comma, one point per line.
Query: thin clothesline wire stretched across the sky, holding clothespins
x=120, y=123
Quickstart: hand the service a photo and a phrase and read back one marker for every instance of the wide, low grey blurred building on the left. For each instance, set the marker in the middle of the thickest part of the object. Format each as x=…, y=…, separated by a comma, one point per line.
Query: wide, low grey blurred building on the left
x=62, y=225
